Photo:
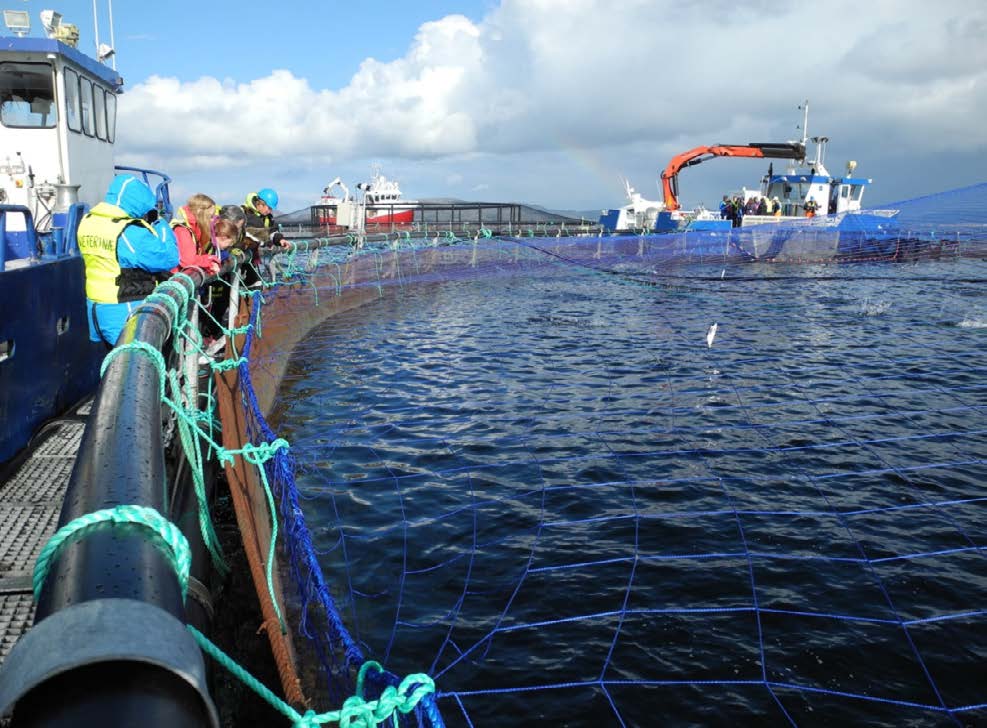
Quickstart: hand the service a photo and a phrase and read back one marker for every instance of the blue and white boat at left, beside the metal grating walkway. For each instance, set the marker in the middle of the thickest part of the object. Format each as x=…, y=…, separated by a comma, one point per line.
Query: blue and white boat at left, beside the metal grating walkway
x=57, y=131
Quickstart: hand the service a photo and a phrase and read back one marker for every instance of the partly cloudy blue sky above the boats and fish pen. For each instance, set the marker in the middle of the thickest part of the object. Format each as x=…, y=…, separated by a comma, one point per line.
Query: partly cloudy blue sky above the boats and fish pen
x=550, y=102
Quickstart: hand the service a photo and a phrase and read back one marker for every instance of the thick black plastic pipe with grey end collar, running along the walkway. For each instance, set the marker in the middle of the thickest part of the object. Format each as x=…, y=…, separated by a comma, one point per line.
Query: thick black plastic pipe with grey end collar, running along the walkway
x=109, y=645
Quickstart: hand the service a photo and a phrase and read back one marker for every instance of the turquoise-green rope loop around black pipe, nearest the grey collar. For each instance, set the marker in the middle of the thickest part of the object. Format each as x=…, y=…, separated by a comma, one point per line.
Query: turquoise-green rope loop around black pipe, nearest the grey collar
x=177, y=550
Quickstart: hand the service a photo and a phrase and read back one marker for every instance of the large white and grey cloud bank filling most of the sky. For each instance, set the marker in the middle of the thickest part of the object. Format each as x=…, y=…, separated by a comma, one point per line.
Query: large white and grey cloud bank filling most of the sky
x=547, y=76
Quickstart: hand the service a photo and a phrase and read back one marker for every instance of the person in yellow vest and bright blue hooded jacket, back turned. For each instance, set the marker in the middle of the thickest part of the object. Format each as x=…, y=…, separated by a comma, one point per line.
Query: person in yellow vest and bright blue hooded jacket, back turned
x=125, y=247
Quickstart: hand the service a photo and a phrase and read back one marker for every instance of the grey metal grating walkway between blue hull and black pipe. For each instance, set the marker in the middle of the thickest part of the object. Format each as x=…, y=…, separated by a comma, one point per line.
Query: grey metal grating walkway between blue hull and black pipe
x=31, y=494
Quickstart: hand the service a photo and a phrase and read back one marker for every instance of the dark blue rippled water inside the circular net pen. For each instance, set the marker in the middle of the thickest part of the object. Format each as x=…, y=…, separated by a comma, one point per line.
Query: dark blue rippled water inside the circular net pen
x=572, y=503
